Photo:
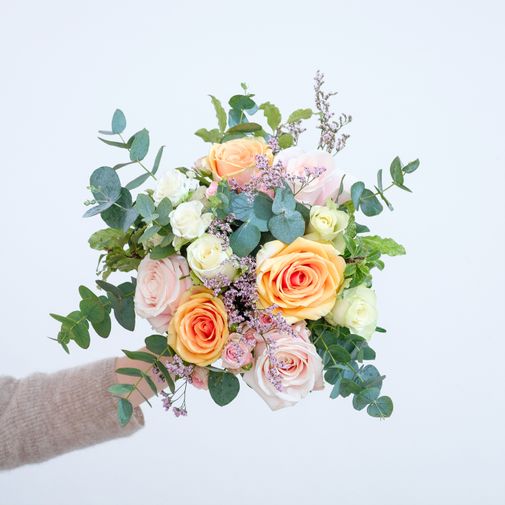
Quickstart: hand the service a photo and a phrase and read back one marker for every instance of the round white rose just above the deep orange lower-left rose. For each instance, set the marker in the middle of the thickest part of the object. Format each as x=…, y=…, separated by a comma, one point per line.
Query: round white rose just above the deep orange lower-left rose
x=207, y=258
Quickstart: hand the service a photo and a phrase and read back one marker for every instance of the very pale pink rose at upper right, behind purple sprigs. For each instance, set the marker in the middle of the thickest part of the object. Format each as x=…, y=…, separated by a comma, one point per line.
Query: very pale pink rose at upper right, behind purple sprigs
x=295, y=161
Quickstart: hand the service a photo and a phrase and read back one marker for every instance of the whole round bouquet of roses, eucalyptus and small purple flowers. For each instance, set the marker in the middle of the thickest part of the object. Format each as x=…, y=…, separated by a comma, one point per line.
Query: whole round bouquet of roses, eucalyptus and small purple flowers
x=250, y=265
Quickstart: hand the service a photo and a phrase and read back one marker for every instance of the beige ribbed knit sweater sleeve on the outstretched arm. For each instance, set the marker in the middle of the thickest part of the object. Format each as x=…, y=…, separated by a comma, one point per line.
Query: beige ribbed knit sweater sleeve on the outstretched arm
x=45, y=415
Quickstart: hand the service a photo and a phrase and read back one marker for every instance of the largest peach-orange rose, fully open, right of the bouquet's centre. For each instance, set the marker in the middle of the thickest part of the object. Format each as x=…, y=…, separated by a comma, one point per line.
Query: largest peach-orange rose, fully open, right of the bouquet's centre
x=302, y=278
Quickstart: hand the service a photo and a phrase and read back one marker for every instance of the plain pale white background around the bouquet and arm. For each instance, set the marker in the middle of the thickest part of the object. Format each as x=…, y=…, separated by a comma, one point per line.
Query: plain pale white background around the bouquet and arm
x=421, y=79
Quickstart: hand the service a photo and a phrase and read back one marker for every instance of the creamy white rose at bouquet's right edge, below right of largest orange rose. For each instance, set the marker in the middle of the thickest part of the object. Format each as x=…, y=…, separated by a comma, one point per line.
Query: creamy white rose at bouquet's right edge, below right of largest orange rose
x=356, y=309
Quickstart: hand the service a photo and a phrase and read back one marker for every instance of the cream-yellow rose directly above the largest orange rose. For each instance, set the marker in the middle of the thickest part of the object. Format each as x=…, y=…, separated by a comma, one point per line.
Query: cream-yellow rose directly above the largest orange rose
x=328, y=224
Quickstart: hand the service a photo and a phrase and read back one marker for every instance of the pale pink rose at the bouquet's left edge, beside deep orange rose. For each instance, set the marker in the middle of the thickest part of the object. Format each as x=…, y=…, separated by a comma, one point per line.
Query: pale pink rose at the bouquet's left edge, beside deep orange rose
x=160, y=286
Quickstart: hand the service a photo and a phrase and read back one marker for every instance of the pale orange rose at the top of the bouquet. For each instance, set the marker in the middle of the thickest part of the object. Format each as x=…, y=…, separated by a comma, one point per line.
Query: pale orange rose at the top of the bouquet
x=237, y=158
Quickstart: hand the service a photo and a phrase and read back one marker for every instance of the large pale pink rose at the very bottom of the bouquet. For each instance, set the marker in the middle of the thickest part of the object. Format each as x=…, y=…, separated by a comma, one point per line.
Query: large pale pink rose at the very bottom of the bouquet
x=299, y=370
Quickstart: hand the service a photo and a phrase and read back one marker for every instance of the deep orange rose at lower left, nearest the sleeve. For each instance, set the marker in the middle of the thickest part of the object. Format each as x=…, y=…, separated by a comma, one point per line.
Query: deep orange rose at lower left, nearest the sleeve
x=199, y=329
